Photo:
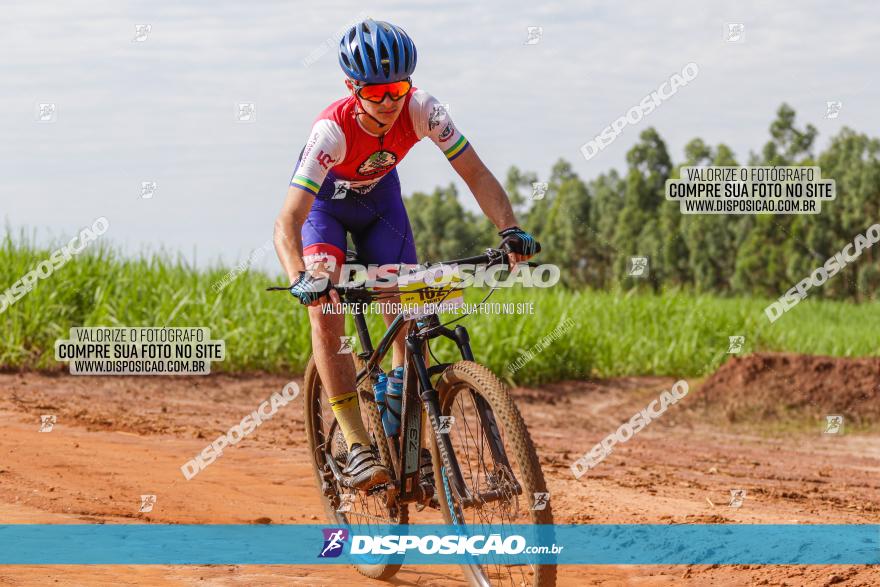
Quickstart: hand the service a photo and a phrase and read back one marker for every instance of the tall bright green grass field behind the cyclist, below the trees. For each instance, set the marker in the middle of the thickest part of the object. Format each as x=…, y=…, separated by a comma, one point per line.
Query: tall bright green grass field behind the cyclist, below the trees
x=611, y=333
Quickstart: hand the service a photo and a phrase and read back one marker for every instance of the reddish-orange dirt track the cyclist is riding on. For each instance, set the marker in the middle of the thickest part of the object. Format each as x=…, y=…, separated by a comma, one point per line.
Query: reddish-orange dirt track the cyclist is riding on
x=118, y=438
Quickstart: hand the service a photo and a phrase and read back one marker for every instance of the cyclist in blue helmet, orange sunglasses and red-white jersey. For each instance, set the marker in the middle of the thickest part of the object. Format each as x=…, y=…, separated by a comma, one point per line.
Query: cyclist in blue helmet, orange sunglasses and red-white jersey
x=345, y=182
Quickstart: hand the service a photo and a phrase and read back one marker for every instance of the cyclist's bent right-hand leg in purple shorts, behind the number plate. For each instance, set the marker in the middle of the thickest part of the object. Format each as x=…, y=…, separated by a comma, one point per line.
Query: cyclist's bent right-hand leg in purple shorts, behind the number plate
x=387, y=240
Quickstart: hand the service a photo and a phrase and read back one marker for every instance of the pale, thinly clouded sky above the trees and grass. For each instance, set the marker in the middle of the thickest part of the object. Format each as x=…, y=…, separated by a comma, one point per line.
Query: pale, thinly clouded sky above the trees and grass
x=163, y=106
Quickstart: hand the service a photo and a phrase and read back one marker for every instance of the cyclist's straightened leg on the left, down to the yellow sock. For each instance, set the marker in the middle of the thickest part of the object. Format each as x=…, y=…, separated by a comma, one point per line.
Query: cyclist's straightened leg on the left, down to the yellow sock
x=324, y=248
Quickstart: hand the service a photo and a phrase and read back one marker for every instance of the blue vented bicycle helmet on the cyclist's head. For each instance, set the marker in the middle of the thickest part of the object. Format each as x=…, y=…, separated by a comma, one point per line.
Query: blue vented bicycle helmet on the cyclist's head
x=374, y=52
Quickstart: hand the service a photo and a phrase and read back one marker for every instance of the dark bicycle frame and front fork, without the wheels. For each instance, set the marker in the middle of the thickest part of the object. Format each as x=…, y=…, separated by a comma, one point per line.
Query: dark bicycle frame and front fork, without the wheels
x=419, y=391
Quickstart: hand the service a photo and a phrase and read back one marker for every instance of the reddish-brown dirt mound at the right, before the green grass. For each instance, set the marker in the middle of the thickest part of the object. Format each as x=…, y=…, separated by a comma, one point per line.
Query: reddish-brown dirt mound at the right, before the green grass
x=786, y=386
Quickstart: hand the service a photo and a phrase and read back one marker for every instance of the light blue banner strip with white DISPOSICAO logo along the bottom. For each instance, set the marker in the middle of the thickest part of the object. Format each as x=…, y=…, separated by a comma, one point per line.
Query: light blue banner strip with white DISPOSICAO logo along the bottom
x=603, y=544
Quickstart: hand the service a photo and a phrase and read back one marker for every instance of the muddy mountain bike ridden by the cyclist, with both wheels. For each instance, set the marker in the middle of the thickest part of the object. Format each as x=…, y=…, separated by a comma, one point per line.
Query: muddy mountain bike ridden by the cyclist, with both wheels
x=476, y=486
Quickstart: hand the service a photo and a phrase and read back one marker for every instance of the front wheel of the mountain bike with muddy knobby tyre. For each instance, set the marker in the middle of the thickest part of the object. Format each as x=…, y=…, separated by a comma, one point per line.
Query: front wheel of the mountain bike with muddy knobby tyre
x=465, y=389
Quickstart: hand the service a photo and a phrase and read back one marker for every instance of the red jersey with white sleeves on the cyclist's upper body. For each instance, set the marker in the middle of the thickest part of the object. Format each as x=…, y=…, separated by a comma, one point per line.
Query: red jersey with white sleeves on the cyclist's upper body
x=339, y=143
